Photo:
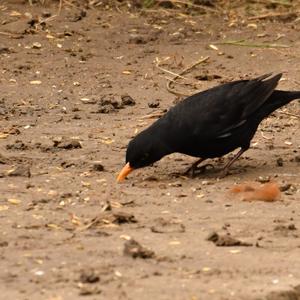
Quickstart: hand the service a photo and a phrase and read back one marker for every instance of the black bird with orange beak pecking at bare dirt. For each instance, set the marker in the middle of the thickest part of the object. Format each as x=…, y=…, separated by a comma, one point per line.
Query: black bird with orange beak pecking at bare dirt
x=209, y=124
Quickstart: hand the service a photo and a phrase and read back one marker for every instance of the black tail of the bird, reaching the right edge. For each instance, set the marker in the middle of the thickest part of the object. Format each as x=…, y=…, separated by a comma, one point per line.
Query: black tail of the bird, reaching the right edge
x=278, y=99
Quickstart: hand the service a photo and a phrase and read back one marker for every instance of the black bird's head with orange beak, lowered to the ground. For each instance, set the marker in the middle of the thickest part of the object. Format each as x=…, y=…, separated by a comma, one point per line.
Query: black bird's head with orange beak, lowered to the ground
x=145, y=149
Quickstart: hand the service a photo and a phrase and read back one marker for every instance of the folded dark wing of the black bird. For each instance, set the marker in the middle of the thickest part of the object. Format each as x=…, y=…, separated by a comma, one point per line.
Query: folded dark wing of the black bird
x=218, y=111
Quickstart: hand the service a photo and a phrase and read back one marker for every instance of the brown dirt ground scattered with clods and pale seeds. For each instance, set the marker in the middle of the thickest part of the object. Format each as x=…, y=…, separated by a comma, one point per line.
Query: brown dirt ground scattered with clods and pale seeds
x=75, y=88
